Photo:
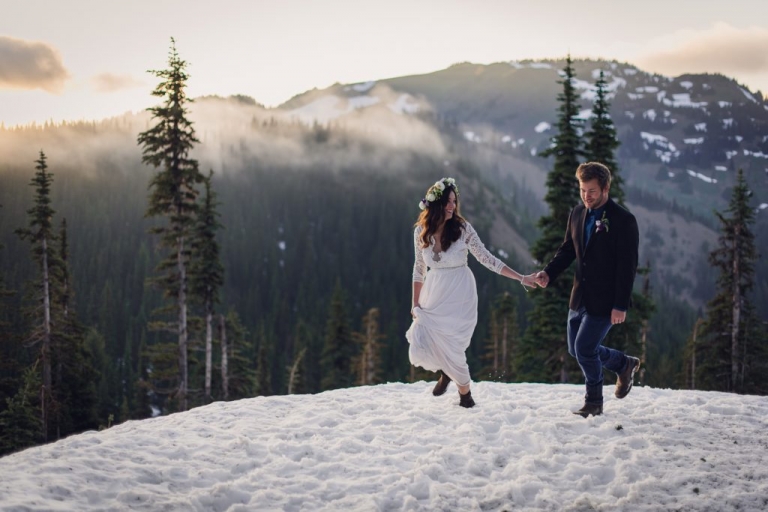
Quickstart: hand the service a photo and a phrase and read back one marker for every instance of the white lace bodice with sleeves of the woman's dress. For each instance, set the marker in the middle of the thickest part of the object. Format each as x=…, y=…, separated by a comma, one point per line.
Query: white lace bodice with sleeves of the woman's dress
x=455, y=256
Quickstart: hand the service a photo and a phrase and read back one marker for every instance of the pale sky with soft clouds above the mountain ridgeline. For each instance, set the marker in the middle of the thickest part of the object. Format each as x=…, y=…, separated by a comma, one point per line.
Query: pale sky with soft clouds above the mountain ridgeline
x=87, y=59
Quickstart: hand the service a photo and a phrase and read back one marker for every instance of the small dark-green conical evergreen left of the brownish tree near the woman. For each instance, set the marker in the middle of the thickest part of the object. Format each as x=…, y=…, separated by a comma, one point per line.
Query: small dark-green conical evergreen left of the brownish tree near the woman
x=338, y=349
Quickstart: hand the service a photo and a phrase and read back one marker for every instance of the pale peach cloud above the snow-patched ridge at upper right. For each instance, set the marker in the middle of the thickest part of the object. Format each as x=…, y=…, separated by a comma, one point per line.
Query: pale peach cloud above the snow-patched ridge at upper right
x=722, y=48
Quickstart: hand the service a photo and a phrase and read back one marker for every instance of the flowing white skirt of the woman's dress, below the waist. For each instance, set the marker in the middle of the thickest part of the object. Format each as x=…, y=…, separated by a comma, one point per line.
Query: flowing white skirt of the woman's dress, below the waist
x=444, y=323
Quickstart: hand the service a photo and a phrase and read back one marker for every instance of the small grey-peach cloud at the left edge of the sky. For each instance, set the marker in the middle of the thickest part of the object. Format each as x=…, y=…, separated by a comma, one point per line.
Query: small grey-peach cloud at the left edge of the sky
x=30, y=65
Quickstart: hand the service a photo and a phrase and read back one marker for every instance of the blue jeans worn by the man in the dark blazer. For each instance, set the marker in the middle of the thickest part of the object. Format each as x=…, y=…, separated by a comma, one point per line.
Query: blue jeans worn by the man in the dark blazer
x=585, y=337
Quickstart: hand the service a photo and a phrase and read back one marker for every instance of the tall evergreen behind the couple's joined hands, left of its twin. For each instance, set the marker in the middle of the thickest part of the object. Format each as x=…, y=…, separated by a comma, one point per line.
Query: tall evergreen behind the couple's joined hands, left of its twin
x=544, y=349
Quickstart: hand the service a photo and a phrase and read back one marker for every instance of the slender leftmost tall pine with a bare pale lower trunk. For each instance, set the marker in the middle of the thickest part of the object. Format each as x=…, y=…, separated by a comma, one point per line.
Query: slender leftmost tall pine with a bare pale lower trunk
x=41, y=235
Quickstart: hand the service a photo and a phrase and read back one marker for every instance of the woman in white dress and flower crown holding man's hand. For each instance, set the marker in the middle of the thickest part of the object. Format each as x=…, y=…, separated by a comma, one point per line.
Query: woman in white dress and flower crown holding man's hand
x=445, y=297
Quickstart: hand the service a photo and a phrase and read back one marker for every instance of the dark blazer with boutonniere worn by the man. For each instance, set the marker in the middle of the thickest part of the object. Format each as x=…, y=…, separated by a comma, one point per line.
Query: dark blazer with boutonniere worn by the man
x=606, y=267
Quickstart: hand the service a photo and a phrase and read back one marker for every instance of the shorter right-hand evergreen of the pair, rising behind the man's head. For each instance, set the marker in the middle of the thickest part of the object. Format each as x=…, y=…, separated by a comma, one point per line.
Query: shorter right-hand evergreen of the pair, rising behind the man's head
x=602, y=141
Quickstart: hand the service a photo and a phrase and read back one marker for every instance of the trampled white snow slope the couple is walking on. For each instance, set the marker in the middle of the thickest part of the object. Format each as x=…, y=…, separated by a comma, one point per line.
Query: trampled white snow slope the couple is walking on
x=396, y=447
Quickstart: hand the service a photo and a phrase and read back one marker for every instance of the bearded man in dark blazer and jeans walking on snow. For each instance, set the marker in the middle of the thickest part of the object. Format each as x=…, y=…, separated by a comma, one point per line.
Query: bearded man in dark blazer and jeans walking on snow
x=602, y=237
